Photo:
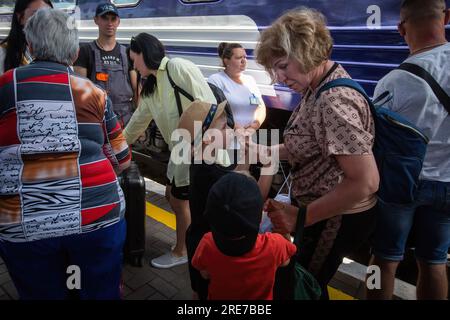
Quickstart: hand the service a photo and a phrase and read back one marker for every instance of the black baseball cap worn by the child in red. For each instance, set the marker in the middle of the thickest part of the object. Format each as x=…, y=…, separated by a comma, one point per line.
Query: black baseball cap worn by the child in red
x=234, y=210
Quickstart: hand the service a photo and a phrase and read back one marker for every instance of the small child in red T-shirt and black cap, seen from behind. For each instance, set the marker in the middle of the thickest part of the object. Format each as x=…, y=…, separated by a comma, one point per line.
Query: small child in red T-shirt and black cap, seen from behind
x=239, y=262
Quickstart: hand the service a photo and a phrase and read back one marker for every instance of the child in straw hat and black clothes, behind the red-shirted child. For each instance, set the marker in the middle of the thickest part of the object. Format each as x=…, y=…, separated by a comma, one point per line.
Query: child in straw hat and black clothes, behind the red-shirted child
x=215, y=135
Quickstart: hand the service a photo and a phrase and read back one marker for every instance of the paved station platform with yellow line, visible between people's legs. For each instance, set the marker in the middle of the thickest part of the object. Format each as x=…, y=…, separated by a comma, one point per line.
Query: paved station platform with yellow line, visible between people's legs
x=148, y=283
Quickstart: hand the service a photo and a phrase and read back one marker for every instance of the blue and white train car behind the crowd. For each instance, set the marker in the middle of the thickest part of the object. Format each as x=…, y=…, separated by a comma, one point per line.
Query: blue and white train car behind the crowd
x=366, y=41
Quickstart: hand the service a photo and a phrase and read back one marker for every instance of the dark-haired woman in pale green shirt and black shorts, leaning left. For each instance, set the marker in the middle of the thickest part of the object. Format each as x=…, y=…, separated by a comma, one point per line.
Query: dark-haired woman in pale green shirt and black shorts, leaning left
x=158, y=103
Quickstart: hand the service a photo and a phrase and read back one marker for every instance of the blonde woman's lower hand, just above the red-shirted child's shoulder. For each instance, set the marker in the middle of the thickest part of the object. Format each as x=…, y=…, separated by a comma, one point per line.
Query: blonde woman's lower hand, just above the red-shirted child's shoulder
x=282, y=215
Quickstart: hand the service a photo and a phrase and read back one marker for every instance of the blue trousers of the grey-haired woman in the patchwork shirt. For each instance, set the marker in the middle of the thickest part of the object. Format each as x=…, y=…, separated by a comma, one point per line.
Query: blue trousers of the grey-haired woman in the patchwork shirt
x=39, y=269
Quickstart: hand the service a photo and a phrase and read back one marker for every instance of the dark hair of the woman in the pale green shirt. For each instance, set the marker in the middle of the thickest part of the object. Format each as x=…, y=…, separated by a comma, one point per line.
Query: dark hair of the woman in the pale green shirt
x=153, y=52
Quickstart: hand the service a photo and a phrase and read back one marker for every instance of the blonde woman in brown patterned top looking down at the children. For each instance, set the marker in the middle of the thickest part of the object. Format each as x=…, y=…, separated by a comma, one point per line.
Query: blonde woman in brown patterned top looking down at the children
x=328, y=142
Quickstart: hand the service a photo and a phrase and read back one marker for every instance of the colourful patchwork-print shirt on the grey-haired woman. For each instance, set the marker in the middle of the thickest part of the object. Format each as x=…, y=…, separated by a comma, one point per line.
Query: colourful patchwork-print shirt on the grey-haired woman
x=60, y=149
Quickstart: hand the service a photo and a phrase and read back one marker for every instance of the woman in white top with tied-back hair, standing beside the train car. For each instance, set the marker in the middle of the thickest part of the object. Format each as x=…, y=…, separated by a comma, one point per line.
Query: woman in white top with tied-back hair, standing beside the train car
x=240, y=90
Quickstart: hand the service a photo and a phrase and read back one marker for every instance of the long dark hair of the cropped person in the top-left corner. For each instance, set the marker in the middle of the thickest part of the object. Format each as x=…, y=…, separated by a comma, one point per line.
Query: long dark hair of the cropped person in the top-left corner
x=16, y=43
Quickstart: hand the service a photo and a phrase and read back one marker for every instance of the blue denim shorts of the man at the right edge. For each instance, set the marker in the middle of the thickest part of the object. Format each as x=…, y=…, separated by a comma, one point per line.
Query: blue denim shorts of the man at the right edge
x=430, y=214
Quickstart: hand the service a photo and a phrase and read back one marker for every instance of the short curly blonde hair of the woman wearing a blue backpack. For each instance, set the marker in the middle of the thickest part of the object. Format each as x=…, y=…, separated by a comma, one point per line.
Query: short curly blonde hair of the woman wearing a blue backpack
x=300, y=34
